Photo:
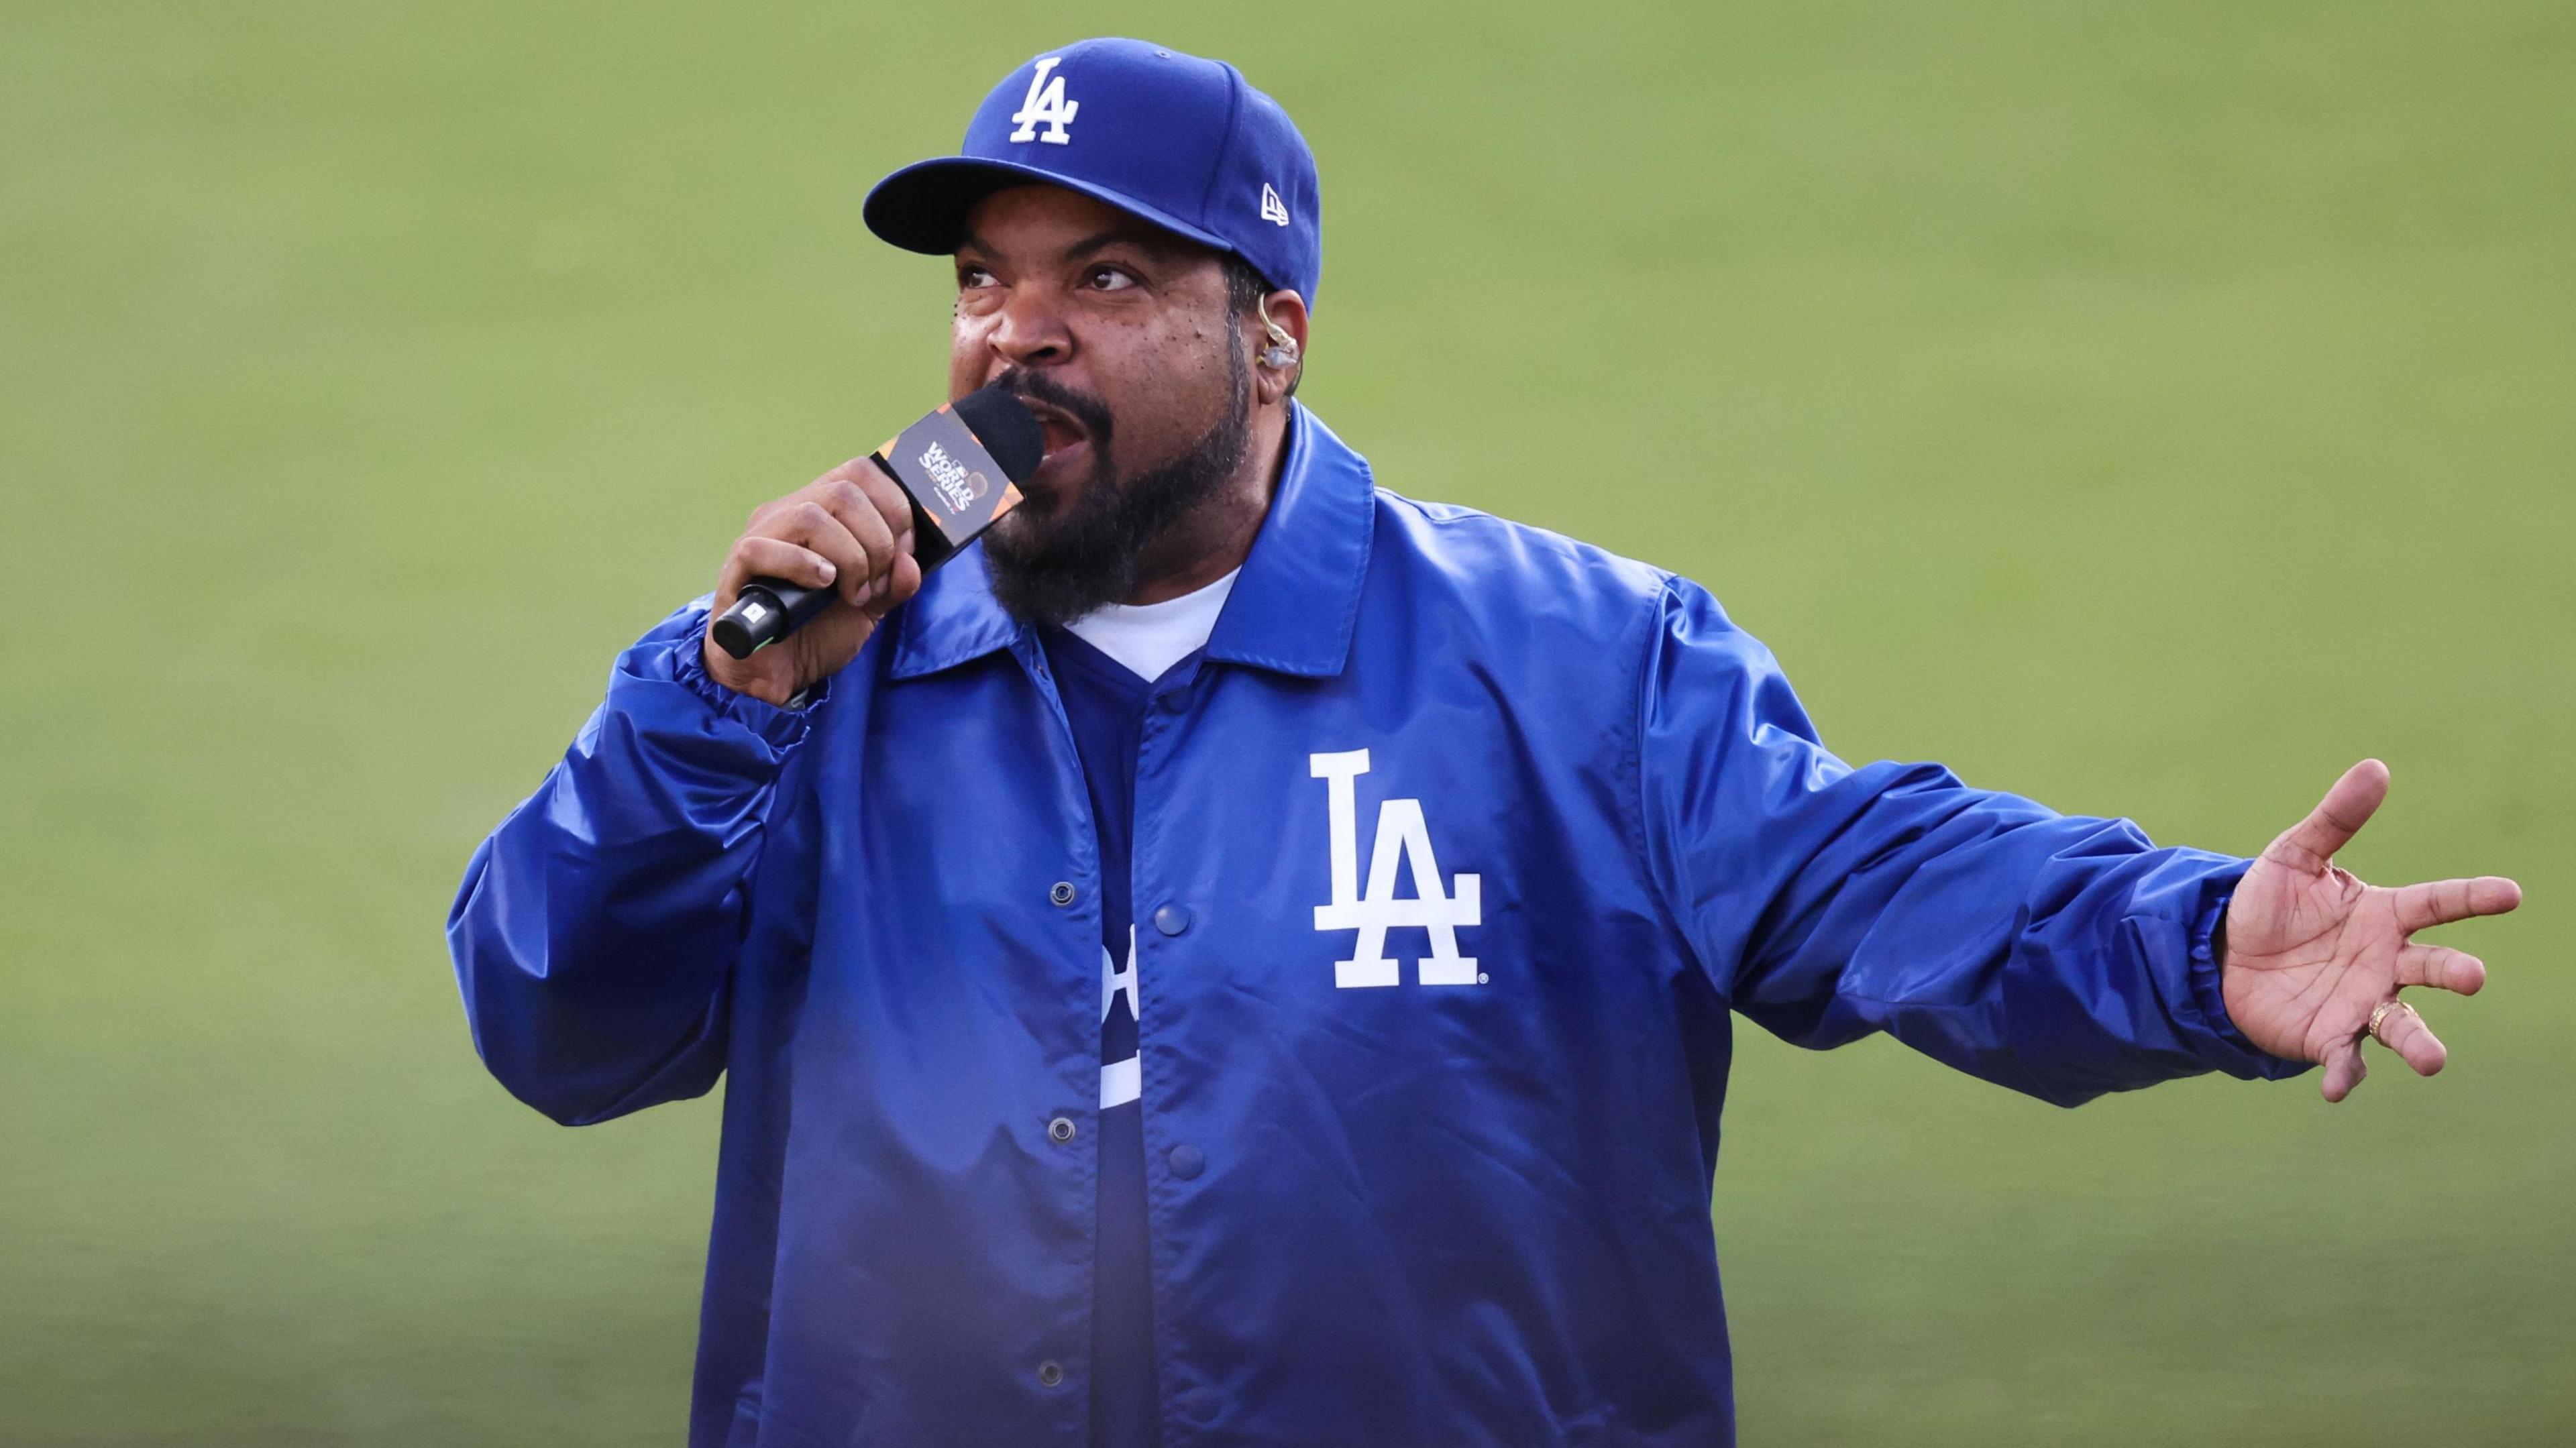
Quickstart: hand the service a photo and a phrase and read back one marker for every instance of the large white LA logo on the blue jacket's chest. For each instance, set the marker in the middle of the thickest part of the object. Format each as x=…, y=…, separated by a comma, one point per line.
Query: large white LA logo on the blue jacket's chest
x=1403, y=839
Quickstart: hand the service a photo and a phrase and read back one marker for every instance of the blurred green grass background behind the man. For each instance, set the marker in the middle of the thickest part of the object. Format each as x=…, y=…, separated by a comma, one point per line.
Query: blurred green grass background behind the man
x=2150, y=408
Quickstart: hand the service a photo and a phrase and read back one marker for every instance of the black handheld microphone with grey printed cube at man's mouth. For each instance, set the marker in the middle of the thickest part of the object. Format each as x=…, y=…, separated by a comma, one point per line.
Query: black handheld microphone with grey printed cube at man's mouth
x=962, y=468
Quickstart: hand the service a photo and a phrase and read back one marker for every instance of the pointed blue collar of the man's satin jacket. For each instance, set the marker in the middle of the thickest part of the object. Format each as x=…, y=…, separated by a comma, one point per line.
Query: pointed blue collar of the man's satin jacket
x=1292, y=609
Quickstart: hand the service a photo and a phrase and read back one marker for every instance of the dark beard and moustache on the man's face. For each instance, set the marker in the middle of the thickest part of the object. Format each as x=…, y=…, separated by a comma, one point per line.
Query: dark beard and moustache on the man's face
x=1065, y=563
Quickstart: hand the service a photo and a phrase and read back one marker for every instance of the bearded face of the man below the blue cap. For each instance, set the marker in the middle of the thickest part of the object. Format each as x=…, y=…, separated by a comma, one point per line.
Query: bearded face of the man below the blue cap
x=1124, y=344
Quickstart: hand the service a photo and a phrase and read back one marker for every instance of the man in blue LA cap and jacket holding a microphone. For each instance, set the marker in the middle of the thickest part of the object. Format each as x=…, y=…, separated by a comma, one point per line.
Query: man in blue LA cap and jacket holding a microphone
x=1245, y=957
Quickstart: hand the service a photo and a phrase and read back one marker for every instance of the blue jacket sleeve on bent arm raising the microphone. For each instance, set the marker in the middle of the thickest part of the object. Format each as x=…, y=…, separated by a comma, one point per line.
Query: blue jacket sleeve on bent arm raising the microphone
x=596, y=929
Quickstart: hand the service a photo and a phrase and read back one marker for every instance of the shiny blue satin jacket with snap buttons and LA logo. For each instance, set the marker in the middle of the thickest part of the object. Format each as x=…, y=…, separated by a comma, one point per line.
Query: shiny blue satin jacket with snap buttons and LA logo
x=1449, y=872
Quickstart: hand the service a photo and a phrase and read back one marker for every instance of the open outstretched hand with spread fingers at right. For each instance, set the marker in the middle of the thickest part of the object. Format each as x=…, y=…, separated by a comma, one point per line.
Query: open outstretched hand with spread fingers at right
x=2312, y=952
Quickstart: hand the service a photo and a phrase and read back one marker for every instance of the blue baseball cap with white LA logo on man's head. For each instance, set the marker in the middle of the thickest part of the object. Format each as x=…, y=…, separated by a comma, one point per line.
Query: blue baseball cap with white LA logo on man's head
x=1179, y=140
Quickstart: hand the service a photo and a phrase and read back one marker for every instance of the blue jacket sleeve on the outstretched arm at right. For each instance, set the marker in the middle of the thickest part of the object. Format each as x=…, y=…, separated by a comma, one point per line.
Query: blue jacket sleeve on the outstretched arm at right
x=2054, y=955
